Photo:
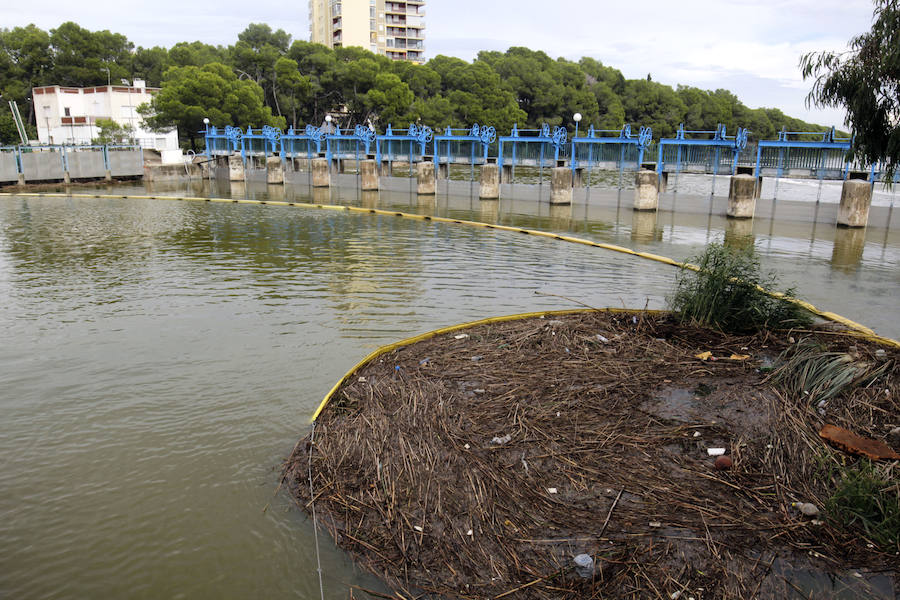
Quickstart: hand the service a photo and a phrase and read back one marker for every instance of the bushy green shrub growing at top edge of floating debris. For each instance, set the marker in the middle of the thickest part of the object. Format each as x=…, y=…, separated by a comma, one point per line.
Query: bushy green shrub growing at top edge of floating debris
x=724, y=294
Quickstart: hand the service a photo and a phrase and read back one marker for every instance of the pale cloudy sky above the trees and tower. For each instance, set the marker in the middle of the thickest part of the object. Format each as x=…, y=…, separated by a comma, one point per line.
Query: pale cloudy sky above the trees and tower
x=751, y=47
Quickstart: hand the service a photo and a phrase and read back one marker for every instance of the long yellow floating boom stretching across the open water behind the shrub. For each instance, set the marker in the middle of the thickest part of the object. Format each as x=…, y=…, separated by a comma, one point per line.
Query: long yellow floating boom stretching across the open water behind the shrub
x=855, y=327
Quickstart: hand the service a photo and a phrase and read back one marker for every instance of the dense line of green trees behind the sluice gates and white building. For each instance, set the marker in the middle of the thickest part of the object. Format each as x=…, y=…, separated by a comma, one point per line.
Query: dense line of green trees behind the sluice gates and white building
x=266, y=78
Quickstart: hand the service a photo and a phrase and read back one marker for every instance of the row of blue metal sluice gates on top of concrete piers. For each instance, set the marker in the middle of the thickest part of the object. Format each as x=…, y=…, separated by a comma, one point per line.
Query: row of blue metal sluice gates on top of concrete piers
x=819, y=155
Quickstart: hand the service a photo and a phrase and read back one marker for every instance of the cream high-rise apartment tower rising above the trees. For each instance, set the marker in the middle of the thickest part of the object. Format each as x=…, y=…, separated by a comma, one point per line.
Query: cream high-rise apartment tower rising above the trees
x=392, y=28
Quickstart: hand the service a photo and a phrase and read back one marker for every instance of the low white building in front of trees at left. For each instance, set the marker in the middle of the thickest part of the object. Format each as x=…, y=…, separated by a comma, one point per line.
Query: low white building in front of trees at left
x=69, y=115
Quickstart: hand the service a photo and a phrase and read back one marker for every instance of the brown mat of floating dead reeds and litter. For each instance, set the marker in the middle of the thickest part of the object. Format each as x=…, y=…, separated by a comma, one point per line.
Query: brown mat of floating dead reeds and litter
x=614, y=455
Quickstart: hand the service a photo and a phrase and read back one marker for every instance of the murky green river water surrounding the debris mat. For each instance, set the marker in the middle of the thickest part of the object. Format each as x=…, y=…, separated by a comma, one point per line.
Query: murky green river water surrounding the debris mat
x=160, y=358
